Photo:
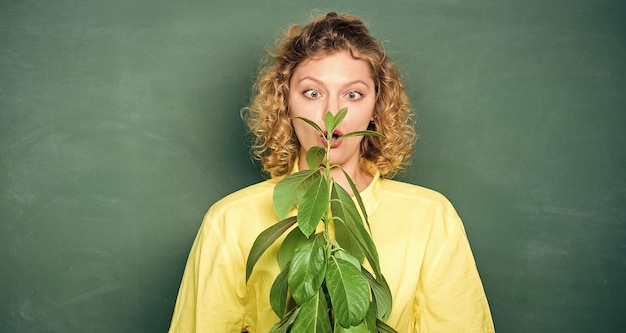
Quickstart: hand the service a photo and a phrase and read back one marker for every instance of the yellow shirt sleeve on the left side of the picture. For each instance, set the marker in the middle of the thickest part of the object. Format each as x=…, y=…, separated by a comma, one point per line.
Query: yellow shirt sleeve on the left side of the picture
x=208, y=299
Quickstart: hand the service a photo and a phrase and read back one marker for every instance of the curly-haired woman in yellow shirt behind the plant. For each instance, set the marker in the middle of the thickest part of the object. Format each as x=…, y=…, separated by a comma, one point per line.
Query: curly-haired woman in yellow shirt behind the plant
x=331, y=63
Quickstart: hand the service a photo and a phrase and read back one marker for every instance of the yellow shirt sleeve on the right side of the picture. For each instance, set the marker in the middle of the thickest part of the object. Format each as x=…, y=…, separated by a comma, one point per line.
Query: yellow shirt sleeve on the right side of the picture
x=450, y=296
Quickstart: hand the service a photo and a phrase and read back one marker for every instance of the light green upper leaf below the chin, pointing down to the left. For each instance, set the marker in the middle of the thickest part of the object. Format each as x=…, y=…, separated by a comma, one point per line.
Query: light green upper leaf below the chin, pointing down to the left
x=290, y=190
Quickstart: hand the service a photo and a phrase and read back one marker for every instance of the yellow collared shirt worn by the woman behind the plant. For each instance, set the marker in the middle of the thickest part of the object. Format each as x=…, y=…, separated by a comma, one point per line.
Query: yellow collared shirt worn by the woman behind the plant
x=424, y=255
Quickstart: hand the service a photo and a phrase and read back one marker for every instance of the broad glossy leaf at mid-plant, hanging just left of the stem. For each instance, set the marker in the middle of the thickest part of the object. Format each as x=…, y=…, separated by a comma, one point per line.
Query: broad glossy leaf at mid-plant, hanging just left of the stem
x=307, y=269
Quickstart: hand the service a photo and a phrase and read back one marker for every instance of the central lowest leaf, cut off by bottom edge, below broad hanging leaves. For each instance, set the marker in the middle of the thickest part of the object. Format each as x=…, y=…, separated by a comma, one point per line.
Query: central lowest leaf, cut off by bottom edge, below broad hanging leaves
x=313, y=316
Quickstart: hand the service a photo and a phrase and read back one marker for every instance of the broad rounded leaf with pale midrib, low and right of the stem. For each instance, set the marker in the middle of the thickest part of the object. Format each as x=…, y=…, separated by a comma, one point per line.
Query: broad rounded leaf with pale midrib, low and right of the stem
x=348, y=290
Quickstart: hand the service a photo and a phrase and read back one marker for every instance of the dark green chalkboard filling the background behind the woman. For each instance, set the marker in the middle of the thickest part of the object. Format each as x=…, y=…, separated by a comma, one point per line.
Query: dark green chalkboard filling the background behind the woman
x=119, y=127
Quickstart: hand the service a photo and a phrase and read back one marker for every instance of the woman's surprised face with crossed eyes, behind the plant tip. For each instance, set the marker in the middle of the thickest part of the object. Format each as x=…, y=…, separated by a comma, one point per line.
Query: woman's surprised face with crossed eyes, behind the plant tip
x=331, y=82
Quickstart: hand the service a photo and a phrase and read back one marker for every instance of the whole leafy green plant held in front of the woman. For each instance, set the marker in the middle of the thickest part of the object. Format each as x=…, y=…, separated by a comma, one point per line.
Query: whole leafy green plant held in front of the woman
x=322, y=285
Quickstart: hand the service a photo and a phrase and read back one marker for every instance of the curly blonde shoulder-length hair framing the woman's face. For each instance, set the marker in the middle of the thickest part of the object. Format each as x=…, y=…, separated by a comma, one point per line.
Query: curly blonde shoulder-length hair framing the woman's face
x=274, y=141
